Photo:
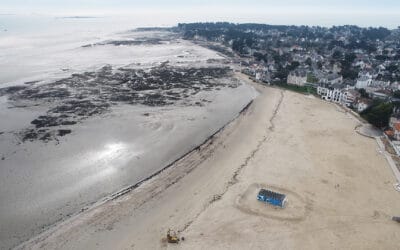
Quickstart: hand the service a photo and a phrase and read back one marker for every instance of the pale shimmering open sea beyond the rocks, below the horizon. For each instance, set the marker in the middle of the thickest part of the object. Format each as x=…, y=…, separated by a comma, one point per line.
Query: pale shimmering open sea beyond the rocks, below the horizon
x=34, y=47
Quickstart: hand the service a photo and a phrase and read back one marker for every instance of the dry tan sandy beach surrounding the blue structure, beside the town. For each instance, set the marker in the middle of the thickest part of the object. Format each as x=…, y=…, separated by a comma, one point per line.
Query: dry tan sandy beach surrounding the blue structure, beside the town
x=339, y=186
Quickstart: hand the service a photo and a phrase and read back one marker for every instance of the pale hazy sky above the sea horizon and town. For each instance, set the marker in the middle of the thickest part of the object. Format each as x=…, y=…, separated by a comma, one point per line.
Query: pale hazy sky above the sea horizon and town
x=309, y=12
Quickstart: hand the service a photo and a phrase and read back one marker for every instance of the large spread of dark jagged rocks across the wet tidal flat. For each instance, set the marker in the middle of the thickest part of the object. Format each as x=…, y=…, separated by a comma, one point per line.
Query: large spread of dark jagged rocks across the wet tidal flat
x=80, y=96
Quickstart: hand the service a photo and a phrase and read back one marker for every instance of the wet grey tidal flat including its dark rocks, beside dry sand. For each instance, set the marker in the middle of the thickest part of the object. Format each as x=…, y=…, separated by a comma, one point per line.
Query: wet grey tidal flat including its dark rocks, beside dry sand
x=96, y=126
